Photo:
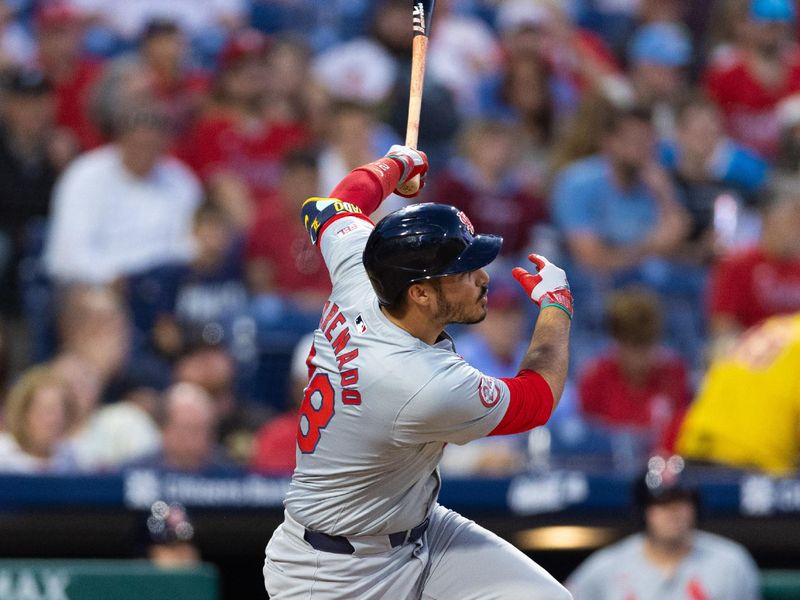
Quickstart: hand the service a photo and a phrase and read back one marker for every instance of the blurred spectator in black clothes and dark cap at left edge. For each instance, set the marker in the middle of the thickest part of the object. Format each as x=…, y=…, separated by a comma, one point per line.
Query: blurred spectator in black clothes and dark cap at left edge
x=29, y=164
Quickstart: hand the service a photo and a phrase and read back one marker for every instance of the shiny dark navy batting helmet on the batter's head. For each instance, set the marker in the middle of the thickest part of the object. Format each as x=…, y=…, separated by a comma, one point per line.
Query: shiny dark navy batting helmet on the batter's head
x=423, y=241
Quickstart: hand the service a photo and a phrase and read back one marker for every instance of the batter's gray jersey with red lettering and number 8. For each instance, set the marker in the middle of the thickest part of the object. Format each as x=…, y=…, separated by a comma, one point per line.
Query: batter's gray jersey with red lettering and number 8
x=379, y=407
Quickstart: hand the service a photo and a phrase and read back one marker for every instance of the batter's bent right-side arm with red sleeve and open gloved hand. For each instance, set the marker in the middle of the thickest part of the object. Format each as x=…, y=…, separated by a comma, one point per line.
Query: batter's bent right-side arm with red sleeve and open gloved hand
x=543, y=371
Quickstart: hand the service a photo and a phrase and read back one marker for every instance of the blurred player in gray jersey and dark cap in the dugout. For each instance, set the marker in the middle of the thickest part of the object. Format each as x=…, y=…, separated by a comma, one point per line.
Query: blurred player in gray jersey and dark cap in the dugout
x=671, y=558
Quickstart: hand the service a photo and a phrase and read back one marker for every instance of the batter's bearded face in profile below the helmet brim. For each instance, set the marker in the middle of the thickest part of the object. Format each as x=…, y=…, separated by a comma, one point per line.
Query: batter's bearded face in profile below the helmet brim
x=461, y=298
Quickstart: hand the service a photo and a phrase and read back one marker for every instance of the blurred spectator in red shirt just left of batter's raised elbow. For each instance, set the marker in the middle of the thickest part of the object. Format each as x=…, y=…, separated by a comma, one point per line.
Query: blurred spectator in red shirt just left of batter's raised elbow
x=288, y=267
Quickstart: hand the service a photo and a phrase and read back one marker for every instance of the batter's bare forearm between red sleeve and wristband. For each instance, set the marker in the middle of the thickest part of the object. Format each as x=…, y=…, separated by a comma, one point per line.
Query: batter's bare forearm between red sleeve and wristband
x=548, y=353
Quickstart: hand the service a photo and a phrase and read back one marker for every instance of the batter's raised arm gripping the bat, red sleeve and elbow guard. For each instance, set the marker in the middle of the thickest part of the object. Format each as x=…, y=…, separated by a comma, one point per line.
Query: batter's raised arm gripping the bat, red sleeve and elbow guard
x=361, y=192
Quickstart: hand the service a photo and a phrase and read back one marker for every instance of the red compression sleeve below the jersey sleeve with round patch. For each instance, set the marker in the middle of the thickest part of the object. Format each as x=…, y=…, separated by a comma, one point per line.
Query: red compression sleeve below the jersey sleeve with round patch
x=530, y=405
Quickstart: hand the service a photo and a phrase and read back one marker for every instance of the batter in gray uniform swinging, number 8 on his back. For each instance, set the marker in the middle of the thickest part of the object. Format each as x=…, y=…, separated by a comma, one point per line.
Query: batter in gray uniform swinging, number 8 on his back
x=387, y=391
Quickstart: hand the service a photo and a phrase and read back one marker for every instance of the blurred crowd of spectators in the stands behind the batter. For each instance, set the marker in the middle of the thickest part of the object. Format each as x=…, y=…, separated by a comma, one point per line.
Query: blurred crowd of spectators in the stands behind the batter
x=158, y=287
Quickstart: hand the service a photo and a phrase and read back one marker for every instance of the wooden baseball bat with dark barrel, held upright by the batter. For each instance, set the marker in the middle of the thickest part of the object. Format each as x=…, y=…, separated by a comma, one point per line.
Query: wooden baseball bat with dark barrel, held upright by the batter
x=421, y=14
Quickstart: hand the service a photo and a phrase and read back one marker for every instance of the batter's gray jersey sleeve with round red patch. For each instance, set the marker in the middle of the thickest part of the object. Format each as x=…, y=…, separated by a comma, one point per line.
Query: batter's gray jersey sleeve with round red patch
x=458, y=404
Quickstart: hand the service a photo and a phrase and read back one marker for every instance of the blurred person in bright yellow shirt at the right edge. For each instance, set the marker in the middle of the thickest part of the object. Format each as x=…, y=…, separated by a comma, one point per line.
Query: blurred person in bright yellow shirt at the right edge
x=745, y=415
